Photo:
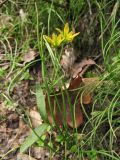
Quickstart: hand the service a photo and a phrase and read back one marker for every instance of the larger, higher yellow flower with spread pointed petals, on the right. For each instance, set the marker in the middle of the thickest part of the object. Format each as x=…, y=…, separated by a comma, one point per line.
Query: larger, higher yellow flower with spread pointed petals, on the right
x=67, y=36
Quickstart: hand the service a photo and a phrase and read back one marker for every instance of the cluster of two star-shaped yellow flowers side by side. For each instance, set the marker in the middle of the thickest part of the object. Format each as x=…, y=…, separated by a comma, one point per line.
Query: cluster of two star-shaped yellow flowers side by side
x=65, y=35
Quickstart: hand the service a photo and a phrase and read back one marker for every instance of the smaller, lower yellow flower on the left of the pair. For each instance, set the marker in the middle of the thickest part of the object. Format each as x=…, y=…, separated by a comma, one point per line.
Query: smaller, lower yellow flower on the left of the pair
x=55, y=40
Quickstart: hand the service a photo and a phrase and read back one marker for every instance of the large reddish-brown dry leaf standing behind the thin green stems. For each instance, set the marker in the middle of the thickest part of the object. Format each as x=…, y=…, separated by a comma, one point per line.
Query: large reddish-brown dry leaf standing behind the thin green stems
x=58, y=115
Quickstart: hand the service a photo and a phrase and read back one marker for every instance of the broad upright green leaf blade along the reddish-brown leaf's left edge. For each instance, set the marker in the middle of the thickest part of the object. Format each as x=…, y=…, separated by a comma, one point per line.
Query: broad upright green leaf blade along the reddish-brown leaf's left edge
x=41, y=103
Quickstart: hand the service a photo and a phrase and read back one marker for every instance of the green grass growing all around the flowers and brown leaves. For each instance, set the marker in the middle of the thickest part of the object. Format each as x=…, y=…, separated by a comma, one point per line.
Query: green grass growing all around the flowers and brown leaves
x=96, y=138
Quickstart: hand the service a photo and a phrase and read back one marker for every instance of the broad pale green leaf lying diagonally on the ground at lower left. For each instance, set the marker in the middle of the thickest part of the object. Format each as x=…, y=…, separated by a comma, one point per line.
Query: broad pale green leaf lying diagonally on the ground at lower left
x=38, y=131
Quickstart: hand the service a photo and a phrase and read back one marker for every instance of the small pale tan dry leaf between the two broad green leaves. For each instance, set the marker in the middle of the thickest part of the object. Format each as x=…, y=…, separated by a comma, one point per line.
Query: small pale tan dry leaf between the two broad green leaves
x=35, y=118
